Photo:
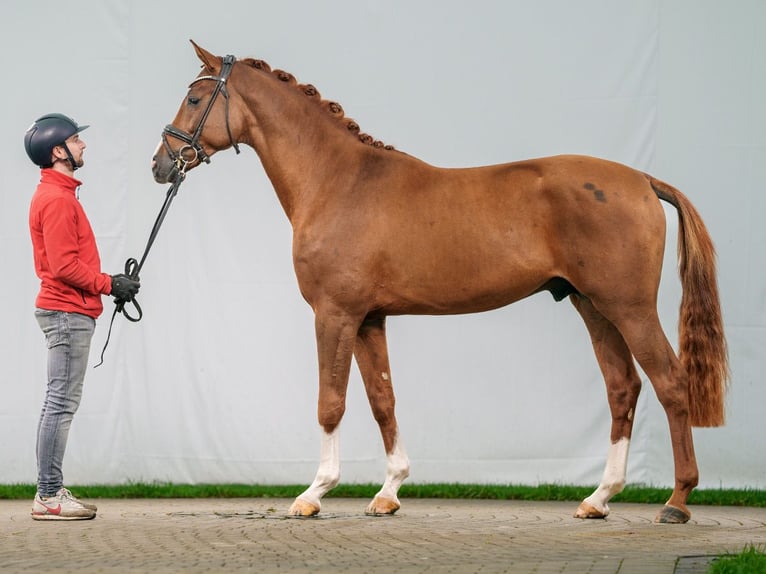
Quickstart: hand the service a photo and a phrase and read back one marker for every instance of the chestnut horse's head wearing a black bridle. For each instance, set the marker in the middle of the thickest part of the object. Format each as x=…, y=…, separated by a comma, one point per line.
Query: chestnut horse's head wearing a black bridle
x=202, y=125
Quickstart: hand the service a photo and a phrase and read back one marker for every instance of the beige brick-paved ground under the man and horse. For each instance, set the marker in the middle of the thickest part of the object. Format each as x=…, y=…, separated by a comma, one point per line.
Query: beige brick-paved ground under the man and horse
x=461, y=536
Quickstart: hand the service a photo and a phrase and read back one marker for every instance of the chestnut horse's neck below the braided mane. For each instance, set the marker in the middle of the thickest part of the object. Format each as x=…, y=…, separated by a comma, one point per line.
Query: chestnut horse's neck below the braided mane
x=298, y=142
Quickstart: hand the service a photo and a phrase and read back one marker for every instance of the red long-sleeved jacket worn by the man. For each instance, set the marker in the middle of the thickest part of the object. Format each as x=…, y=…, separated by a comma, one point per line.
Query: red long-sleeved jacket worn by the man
x=65, y=251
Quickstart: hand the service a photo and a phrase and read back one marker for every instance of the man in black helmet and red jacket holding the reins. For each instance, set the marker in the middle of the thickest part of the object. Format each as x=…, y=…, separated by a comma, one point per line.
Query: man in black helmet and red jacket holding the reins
x=69, y=301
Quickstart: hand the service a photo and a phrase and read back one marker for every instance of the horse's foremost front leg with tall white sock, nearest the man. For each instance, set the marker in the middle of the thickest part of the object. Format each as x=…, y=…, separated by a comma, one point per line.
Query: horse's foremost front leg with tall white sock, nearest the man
x=335, y=334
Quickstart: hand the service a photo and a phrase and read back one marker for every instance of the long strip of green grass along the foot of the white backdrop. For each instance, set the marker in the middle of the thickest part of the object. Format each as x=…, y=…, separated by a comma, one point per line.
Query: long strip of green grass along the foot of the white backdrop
x=650, y=495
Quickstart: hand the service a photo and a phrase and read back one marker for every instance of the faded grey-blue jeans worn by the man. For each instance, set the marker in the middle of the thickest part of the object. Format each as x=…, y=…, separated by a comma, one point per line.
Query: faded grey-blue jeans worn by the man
x=68, y=338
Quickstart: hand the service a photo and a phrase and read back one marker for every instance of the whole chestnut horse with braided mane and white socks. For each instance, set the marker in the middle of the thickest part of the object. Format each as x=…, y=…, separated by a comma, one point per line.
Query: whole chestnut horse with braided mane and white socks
x=377, y=232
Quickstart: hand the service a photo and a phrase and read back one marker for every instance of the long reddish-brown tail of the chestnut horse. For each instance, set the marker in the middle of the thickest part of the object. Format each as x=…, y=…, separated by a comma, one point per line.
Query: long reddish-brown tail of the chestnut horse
x=702, y=344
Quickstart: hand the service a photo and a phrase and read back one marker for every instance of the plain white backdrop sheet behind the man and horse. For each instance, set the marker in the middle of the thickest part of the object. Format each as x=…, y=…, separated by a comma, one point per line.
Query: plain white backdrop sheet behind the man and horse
x=218, y=382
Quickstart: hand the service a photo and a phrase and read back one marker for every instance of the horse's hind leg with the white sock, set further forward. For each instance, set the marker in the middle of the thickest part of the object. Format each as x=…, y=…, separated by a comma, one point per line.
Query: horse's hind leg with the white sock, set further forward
x=622, y=386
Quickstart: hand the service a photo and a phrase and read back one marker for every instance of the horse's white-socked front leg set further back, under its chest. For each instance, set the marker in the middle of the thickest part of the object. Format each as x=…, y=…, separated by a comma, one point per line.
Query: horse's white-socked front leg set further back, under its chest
x=371, y=355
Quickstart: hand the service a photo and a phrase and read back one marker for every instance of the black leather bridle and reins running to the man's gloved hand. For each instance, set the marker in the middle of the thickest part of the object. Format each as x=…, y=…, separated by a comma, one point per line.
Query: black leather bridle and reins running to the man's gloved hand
x=133, y=267
